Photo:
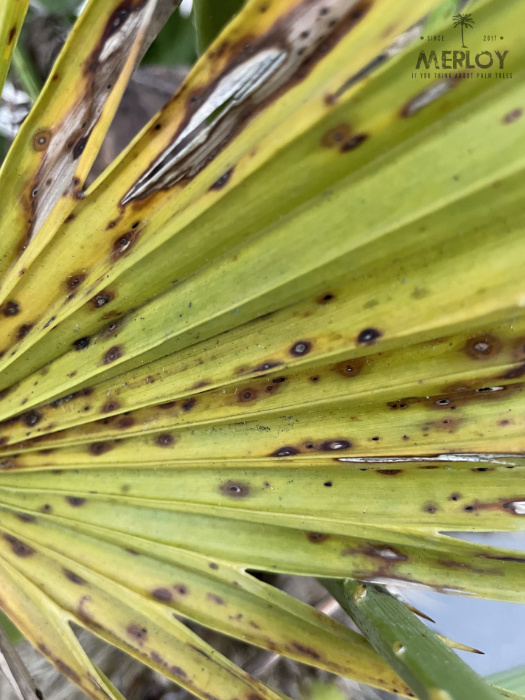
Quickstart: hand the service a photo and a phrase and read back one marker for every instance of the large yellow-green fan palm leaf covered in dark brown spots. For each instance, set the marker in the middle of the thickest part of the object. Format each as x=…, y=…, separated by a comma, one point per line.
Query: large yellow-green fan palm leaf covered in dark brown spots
x=284, y=332
